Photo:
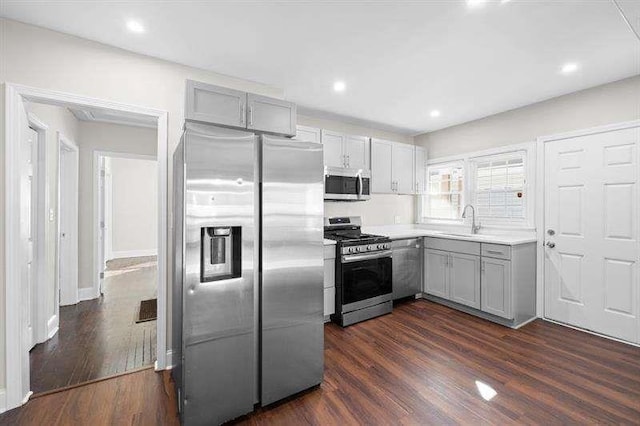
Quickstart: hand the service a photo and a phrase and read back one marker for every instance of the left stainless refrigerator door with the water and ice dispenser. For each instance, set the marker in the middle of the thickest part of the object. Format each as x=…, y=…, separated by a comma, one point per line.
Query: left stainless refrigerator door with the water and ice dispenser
x=219, y=363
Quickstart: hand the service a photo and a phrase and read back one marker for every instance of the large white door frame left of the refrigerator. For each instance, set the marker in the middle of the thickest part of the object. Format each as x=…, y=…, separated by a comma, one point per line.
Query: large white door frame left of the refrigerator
x=16, y=359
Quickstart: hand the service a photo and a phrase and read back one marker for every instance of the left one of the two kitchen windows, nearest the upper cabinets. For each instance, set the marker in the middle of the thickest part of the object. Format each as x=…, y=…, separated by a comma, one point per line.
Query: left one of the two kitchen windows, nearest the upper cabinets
x=446, y=187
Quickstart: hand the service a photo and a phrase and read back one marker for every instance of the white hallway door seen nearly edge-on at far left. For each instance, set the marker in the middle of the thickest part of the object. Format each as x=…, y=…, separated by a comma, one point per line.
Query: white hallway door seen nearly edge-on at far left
x=28, y=161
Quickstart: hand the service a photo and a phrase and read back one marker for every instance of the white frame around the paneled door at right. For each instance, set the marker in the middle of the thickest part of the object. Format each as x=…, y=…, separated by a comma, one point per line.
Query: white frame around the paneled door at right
x=540, y=206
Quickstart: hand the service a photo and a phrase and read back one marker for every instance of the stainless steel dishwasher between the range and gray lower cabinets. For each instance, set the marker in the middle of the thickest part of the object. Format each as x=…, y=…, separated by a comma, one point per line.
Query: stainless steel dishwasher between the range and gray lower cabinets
x=407, y=267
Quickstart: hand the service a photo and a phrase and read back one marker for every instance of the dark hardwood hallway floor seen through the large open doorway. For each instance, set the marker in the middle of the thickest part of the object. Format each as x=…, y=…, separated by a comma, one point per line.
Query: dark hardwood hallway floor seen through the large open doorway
x=99, y=338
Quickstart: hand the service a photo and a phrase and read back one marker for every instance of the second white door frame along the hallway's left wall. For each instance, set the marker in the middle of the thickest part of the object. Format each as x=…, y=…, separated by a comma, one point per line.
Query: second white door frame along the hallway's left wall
x=66, y=144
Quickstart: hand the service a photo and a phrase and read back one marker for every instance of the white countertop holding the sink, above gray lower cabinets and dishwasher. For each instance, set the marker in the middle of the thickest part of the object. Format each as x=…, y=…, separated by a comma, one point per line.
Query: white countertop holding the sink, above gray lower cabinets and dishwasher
x=396, y=232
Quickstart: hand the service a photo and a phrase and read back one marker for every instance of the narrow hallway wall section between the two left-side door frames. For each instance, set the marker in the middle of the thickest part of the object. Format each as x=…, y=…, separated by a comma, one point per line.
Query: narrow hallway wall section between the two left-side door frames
x=59, y=120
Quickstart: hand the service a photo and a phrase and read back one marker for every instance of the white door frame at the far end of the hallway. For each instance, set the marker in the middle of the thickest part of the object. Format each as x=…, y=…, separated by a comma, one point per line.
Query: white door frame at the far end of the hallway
x=97, y=206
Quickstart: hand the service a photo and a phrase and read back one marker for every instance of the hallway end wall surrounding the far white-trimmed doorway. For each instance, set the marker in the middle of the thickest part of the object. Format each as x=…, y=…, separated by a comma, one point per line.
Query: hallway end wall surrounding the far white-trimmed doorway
x=94, y=137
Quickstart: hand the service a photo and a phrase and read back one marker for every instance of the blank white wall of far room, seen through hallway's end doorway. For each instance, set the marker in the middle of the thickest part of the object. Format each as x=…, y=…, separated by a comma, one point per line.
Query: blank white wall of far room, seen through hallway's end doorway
x=134, y=207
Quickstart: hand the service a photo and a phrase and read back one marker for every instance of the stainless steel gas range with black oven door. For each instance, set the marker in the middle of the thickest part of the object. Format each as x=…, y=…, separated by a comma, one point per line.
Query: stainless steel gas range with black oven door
x=363, y=271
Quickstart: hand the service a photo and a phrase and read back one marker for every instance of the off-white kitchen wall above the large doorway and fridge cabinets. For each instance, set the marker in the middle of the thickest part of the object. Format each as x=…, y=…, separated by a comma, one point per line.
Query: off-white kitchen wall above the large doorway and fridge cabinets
x=50, y=60
